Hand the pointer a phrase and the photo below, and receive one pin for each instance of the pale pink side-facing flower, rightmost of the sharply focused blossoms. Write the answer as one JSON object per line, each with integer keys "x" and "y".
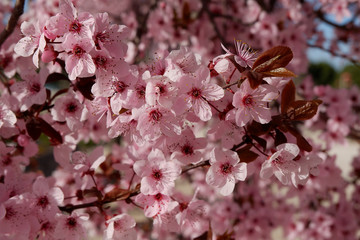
{"x": 282, "y": 165}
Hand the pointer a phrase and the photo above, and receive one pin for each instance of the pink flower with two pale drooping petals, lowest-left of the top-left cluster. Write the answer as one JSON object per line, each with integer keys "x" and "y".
{"x": 78, "y": 61}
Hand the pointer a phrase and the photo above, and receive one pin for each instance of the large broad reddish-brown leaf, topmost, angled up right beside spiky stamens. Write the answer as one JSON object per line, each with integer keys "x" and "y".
{"x": 276, "y": 57}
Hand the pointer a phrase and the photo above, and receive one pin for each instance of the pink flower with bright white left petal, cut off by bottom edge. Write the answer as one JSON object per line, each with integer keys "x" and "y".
{"x": 120, "y": 227}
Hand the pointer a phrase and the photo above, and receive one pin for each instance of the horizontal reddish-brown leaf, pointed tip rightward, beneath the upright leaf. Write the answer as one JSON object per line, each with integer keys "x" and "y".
{"x": 302, "y": 110}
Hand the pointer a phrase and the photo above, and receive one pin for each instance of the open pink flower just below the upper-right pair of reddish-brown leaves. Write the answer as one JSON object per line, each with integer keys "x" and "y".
{"x": 252, "y": 104}
